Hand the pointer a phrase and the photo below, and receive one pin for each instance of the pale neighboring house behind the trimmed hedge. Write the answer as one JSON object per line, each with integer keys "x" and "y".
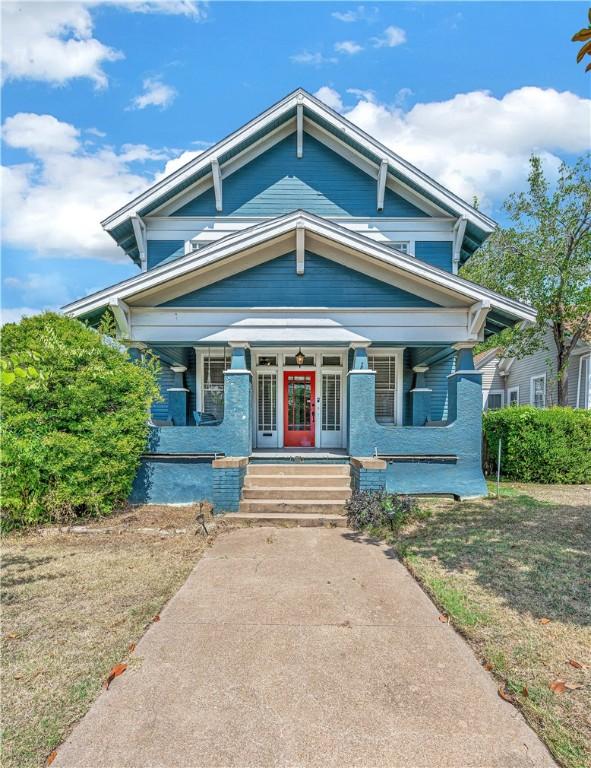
{"x": 532, "y": 380}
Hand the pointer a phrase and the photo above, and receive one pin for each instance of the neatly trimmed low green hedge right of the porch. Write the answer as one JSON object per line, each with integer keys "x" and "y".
{"x": 540, "y": 445}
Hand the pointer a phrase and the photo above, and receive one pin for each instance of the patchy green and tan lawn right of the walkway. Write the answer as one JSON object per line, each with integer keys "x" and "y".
{"x": 496, "y": 568}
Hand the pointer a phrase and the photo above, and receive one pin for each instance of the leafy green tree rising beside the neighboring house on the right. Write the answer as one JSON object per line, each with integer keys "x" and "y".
{"x": 544, "y": 259}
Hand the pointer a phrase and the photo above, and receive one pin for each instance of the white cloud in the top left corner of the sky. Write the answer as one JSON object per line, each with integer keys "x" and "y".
{"x": 52, "y": 42}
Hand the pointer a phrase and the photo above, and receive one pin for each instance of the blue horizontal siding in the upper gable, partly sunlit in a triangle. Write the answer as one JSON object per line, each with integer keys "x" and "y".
{"x": 277, "y": 182}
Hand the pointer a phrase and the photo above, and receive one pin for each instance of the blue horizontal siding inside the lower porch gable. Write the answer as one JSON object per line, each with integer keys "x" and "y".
{"x": 325, "y": 283}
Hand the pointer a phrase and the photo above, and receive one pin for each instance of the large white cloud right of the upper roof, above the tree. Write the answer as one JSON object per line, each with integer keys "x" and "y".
{"x": 476, "y": 143}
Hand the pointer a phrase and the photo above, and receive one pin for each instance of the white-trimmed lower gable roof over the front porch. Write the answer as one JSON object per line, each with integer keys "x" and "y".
{"x": 503, "y": 311}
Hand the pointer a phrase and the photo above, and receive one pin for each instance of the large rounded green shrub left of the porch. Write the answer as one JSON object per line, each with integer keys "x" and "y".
{"x": 73, "y": 432}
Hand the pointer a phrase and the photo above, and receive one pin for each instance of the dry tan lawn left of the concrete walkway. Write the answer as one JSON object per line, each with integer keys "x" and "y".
{"x": 72, "y": 604}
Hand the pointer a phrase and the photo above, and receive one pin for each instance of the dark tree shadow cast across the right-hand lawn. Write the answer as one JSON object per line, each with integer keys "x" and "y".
{"x": 534, "y": 555}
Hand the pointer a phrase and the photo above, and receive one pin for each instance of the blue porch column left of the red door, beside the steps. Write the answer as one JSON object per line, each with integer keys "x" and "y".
{"x": 238, "y": 401}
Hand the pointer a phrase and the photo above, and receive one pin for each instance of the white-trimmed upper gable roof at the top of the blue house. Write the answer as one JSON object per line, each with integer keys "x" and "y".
{"x": 120, "y": 223}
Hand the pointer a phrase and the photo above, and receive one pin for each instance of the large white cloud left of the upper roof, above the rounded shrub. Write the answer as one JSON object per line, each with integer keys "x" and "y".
{"x": 53, "y": 204}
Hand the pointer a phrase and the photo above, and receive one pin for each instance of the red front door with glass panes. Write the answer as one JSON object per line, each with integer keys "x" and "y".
{"x": 298, "y": 408}
